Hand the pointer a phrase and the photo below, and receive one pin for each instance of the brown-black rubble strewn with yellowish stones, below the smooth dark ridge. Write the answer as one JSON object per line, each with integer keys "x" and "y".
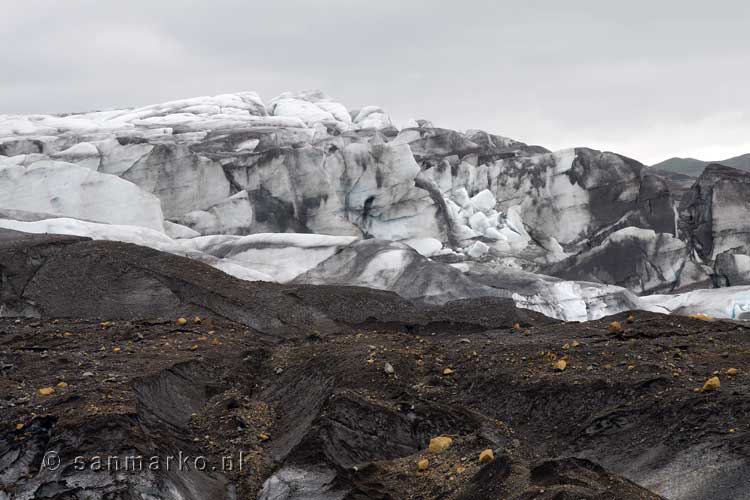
{"x": 318, "y": 417}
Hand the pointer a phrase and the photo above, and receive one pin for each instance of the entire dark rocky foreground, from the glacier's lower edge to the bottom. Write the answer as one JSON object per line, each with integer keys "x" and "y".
{"x": 332, "y": 392}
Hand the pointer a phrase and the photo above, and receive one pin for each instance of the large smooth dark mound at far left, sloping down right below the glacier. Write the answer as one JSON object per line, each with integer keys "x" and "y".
{"x": 57, "y": 276}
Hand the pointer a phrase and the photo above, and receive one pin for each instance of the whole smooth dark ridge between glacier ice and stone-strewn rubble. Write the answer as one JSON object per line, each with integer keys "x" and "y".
{"x": 62, "y": 276}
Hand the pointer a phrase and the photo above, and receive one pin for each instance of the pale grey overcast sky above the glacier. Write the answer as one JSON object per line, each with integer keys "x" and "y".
{"x": 647, "y": 78}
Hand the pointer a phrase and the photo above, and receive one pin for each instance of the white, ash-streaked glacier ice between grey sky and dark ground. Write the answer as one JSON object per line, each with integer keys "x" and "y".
{"x": 301, "y": 189}
